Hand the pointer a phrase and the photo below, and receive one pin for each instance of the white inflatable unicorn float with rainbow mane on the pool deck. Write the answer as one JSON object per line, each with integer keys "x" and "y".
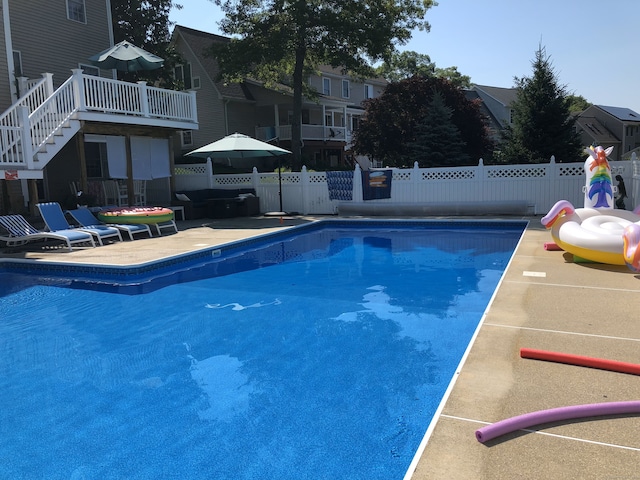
{"x": 597, "y": 232}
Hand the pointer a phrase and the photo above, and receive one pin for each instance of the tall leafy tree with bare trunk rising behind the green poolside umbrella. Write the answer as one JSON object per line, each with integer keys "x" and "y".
{"x": 282, "y": 42}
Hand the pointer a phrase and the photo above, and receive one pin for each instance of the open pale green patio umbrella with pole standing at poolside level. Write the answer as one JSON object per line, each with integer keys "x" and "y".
{"x": 238, "y": 145}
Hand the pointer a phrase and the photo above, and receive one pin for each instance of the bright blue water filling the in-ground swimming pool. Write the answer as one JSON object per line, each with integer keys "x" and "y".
{"x": 320, "y": 355}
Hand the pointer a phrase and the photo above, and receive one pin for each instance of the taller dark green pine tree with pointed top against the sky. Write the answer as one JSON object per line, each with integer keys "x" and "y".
{"x": 542, "y": 122}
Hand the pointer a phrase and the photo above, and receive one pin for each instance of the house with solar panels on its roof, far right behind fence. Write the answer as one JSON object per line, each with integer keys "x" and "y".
{"x": 610, "y": 126}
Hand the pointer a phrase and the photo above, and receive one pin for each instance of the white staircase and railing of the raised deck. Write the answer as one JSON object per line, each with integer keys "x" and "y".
{"x": 44, "y": 120}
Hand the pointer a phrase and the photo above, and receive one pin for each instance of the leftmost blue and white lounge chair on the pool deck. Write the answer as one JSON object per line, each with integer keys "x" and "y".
{"x": 21, "y": 232}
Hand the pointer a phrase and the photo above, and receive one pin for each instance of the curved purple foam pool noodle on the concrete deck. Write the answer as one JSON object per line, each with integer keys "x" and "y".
{"x": 497, "y": 429}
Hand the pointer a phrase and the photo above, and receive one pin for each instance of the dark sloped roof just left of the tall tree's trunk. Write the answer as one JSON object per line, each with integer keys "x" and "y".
{"x": 199, "y": 42}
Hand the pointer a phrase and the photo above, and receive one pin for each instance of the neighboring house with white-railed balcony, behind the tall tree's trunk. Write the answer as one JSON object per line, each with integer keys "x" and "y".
{"x": 328, "y": 121}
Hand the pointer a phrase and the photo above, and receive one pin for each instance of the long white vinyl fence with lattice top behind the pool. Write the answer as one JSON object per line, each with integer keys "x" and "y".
{"x": 496, "y": 189}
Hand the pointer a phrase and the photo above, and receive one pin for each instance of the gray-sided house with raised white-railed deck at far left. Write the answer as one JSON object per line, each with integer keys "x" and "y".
{"x": 66, "y": 121}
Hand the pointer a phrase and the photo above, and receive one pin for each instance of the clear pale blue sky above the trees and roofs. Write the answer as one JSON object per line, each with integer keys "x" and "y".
{"x": 593, "y": 45}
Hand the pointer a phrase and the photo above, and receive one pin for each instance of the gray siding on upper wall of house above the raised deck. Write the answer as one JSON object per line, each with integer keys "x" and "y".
{"x": 49, "y": 42}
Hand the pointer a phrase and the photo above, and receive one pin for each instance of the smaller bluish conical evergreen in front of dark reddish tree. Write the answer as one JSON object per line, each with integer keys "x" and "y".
{"x": 437, "y": 141}
